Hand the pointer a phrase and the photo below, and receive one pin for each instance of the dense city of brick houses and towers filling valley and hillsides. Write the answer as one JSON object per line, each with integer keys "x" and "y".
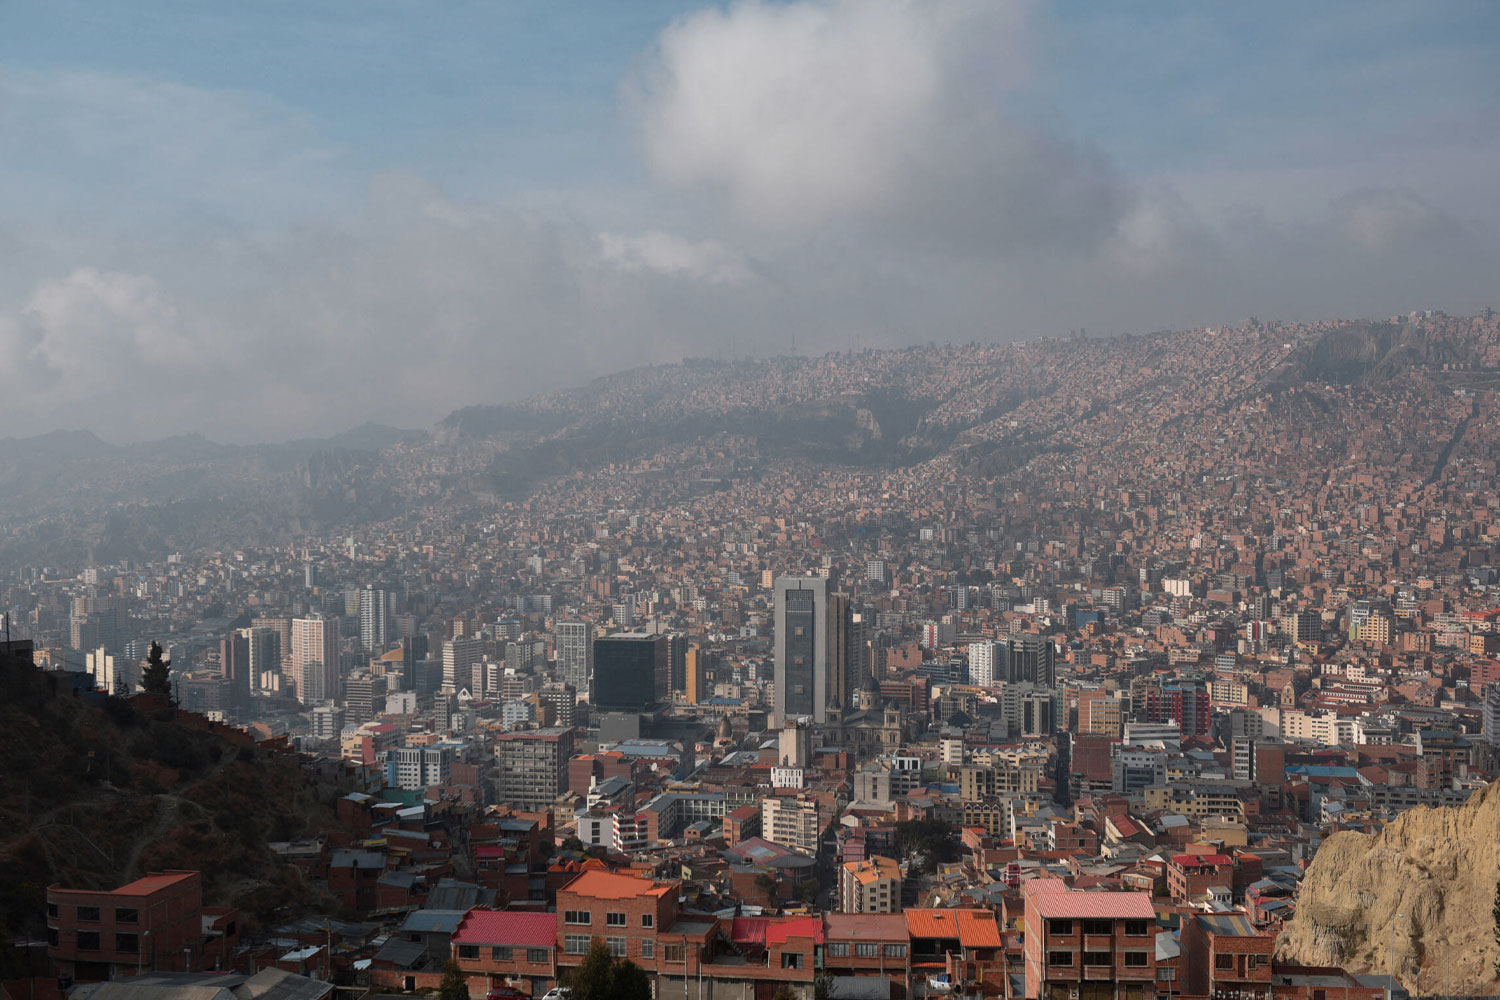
{"x": 1028, "y": 671}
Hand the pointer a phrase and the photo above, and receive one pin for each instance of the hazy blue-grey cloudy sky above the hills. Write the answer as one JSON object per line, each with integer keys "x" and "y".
{"x": 269, "y": 220}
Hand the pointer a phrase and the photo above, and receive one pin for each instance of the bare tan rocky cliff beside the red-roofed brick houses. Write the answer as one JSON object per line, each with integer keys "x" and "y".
{"x": 1426, "y": 888}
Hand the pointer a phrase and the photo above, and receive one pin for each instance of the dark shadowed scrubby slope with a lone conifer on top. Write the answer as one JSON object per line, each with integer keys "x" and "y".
{"x": 95, "y": 797}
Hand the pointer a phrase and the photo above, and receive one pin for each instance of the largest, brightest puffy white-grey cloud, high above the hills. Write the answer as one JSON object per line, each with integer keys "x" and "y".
{"x": 890, "y": 113}
